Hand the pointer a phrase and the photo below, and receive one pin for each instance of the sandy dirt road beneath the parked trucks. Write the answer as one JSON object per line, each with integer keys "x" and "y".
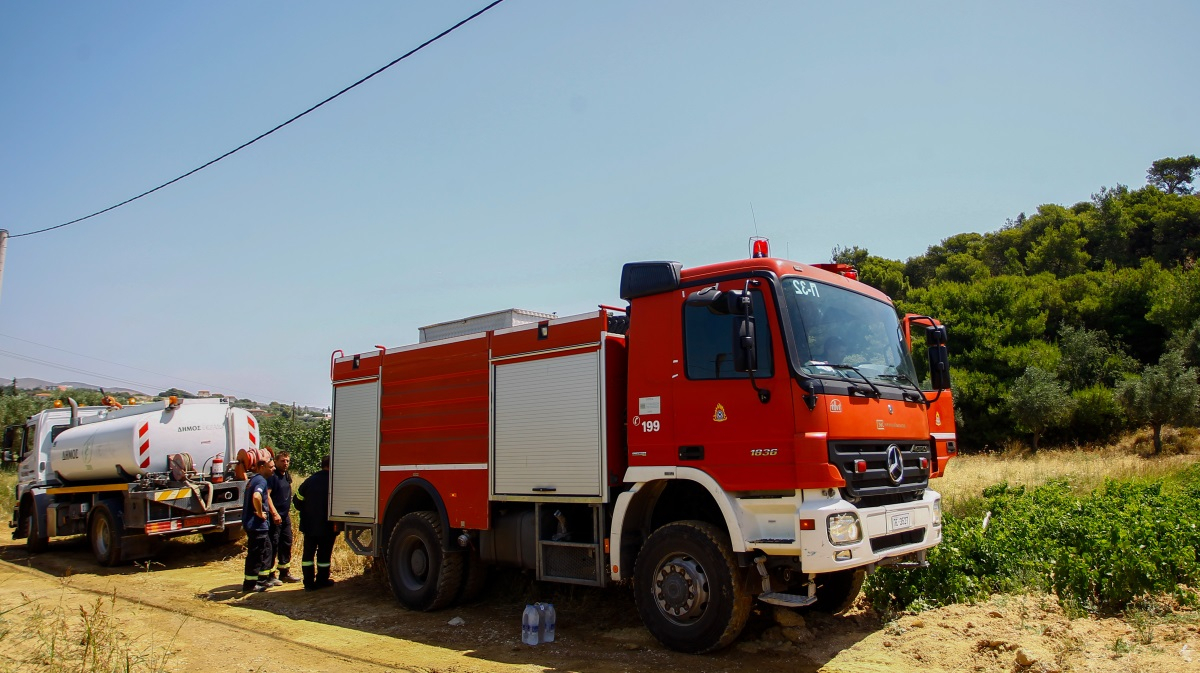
{"x": 188, "y": 615}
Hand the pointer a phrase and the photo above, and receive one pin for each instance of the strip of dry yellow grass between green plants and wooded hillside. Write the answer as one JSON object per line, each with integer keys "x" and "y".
{"x": 1085, "y": 467}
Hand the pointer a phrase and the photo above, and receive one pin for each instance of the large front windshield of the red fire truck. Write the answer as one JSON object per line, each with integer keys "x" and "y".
{"x": 838, "y": 327}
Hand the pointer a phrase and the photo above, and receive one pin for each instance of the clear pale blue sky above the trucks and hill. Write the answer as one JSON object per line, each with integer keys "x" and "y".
{"x": 520, "y": 161}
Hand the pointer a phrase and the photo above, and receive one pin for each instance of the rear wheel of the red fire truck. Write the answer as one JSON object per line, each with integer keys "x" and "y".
{"x": 423, "y": 576}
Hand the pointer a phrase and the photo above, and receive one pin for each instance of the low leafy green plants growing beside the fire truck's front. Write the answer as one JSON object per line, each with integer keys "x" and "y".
{"x": 1097, "y": 551}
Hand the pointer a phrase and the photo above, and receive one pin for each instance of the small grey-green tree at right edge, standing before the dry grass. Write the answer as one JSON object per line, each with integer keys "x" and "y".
{"x": 1165, "y": 394}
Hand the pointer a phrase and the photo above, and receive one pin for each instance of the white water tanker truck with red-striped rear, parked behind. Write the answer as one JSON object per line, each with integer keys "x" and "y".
{"x": 130, "y": 478}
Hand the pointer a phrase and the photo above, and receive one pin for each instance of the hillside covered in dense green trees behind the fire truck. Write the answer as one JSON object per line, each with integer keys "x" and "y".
{"x": 1071, "y": 325}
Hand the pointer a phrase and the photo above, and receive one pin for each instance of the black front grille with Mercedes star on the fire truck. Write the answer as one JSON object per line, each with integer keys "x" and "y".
{"x": 875, "y": 488}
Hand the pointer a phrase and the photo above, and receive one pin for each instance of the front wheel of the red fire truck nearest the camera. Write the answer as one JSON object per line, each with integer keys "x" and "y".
{"x": 689, "y": 591}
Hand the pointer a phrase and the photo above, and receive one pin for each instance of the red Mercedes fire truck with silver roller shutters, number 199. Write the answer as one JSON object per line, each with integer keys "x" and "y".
{"x": 743, "y": 431}
